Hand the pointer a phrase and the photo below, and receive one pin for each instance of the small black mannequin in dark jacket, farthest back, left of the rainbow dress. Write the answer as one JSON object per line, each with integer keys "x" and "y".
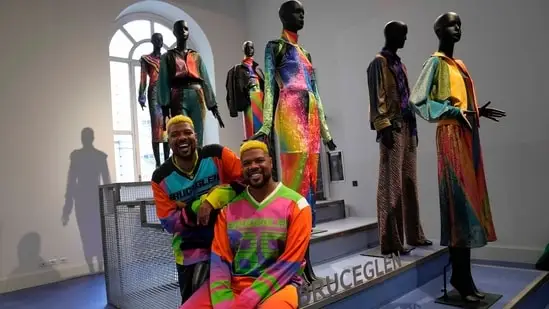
{"x": 245, "y": 86}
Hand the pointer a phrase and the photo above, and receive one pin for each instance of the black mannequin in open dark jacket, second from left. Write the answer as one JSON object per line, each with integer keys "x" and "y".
{"x": 184, "y": 85}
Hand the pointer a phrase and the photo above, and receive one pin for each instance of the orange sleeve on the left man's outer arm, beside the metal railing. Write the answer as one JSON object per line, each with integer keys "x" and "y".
{"x": 169, "y": 215}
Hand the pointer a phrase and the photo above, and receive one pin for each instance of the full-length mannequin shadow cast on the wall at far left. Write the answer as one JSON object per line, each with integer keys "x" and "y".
{"x": 87, "y": 168}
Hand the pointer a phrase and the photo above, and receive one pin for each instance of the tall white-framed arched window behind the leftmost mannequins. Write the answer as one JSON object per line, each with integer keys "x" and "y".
{"x": 134, "y": 157}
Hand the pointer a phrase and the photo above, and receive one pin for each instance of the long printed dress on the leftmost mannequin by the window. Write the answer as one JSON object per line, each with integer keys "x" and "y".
{"x": 150, "y": 66}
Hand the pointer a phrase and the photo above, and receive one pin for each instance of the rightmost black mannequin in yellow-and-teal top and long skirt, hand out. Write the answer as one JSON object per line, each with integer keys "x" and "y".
{"x": 445, "y": 94}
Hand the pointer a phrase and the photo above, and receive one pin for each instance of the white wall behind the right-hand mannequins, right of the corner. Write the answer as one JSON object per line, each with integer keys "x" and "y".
{"x": 503, "y": 45}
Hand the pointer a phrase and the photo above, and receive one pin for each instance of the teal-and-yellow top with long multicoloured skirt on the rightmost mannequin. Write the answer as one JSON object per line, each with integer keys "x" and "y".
{"x": 443, "y": 89}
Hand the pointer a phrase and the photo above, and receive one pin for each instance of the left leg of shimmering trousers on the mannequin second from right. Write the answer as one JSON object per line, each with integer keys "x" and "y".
{"x": 389, "y": 197}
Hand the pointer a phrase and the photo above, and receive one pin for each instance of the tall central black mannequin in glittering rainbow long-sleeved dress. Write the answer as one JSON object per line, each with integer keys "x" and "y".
{"x": 291, "y": 93}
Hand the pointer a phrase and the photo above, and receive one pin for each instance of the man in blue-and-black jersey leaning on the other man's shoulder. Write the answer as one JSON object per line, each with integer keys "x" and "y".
{"x": 190, "y": 173}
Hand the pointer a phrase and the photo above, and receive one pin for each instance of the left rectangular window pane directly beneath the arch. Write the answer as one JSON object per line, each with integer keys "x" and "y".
{"x": 120, "y": 96}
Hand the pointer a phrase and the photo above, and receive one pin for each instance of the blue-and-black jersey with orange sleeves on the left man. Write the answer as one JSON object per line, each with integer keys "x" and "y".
{"x": 215, "y": 165}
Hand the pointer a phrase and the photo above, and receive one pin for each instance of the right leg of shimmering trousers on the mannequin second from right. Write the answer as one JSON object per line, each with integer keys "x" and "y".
{"x": 410, "y": 200}
